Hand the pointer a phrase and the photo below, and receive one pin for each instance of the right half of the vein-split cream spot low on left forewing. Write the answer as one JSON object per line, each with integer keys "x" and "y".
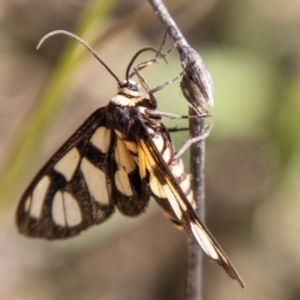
{"x": 72, "y": 210}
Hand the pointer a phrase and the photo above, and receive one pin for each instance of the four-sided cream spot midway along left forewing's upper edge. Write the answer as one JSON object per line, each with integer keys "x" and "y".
{"x": 67, "y": 165}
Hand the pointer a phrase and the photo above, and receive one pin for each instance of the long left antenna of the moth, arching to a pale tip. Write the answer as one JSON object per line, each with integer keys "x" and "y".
{"x": 82, "y": 42}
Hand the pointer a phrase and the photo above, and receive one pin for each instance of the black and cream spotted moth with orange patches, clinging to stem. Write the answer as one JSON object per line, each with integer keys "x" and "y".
{"x": 119, "y": 157}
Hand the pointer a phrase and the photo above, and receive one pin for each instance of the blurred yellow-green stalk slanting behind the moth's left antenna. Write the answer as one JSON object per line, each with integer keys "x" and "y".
{"x": 50, "y": 101}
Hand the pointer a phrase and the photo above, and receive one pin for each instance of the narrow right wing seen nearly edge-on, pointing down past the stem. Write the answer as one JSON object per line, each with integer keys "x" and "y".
{"x": 171, "y": 198}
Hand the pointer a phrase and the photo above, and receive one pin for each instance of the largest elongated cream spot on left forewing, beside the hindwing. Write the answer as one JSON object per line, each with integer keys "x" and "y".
{"x": 96, "y": 182}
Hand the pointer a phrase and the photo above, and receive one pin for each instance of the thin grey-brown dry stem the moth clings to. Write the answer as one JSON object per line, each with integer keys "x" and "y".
{"x": 187, "y": 54}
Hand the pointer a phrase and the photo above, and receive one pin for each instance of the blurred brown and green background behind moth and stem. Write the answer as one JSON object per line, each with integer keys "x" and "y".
{"x": 252, "y": 49}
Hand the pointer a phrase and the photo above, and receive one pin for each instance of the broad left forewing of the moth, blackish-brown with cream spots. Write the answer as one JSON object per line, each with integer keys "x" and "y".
{"x": 73, "y": 190}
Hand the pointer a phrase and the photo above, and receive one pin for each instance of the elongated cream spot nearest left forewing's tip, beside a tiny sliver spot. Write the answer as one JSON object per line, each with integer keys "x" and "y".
{"x": 38, "y": 197}
